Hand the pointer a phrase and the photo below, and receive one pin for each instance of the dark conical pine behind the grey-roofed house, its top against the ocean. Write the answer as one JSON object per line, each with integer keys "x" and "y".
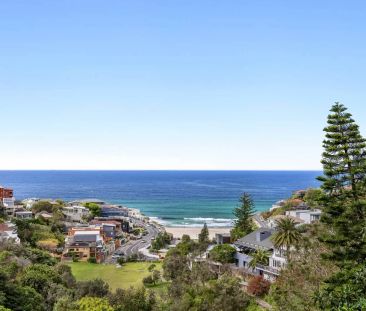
{"x": 243, "y": 213}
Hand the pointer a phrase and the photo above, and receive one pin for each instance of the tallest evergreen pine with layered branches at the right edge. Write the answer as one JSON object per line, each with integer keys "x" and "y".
{"x": 344, "y": 212}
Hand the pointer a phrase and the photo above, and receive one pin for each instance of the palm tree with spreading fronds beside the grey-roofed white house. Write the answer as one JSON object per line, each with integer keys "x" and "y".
{"x": 286, "y": 234}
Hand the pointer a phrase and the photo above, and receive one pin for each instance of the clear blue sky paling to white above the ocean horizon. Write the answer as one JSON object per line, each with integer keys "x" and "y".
{"x": 90, "y": 84}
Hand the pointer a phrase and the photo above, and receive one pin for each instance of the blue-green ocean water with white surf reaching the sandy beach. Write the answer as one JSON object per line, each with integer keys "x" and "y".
{"x": 187, "y": 198}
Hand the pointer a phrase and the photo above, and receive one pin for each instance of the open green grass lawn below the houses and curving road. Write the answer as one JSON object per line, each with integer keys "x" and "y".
{"x": 130, "y": 274}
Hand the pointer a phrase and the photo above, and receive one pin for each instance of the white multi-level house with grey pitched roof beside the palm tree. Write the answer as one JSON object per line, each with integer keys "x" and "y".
{"x": 259, "y": 239}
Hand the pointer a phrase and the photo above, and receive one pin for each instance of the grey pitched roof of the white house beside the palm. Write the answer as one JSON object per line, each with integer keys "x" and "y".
{"x": 252, "y": 241}
